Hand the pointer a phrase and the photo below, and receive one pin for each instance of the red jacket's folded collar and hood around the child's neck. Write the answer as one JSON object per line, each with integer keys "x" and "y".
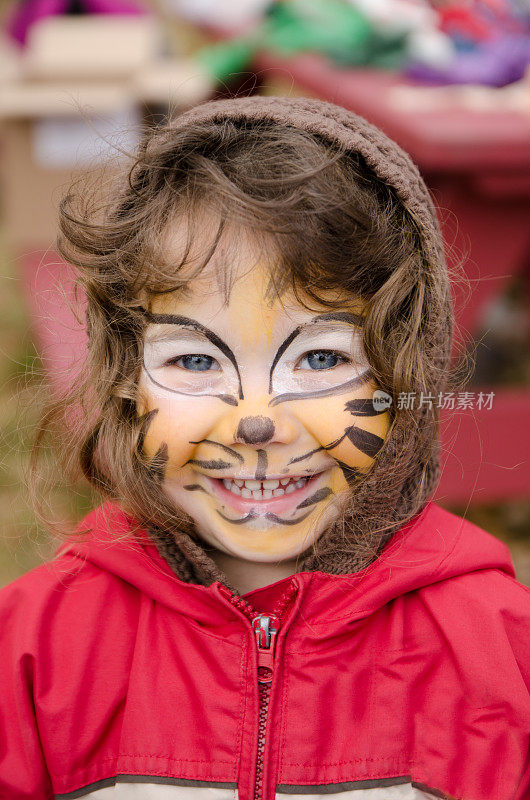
{"x": 433, "y": 546}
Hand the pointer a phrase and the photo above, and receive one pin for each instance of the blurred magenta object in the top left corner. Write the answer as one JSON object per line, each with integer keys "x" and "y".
{"x": 28, "y": 12}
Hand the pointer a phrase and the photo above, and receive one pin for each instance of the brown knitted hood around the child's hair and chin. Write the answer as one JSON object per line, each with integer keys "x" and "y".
{"x": 406, "y": 470}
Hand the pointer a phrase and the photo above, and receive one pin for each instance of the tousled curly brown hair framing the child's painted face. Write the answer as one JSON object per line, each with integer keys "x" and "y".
{"x": 333, "y": 224}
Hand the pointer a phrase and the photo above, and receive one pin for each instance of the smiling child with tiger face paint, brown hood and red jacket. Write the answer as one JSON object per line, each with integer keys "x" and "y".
{"x": 268, "y": 603}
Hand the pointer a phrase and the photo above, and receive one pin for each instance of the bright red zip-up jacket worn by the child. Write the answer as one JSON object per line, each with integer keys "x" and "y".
{"x": 407, "y": 680}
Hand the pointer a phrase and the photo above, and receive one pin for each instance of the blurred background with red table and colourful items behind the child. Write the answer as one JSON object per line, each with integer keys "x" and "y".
{"x": 449, "y": 81}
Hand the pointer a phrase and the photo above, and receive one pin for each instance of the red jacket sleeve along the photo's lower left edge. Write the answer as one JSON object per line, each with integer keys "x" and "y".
{"x": 23, "y": 773}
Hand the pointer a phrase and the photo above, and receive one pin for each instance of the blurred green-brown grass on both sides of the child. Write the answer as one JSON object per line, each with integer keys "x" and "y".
{"x": 24, "y": 541}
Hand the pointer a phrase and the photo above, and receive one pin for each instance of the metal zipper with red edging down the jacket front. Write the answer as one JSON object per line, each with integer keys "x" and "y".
{"x": 266, "y": 627}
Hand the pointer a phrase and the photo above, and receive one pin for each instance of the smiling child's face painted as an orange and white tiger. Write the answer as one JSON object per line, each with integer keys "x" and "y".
{"x": 259, "y": 410}
